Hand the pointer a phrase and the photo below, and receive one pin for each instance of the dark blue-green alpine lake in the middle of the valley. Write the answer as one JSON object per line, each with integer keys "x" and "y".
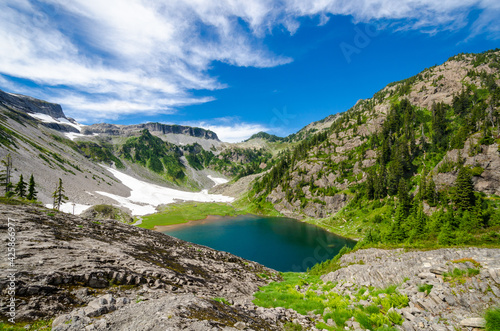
{"x": 280, "y": 243}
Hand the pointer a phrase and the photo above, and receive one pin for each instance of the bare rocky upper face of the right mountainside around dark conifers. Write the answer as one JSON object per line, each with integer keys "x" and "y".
{"x": 322, "y": 180}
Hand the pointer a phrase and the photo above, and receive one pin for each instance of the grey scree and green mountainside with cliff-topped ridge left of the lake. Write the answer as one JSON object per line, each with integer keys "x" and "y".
{"x": 42, "y": 141}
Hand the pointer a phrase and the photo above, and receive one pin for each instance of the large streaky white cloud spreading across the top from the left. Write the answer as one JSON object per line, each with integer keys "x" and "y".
{"x": 103, "y": 59}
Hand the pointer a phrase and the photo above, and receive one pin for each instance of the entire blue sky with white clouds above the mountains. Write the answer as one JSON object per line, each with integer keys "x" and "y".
{"x": 236, "y": 67}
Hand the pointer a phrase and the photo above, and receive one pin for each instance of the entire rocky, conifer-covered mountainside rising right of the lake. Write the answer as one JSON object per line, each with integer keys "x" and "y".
{"x": 418, "y": 162}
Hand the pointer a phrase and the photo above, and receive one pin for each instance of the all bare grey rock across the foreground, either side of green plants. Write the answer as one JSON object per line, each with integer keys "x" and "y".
{"x": 106, "y": 275}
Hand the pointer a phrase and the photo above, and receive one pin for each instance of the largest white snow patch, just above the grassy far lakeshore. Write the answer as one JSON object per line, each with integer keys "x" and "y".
{"x": 145, "y": 197}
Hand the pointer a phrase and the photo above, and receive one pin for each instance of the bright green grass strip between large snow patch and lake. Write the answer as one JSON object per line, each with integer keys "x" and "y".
{"x": 189, "y": 211}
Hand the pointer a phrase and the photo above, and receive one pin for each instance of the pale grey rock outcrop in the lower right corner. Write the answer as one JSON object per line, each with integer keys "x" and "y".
{"x": 450, "y": 302}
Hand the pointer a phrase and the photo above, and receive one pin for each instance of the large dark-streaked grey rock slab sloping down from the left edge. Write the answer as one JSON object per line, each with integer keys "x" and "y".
{"x": 77, "y": 269}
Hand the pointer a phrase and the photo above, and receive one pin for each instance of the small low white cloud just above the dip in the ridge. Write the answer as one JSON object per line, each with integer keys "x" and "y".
{"x": 230, "y": 129}
